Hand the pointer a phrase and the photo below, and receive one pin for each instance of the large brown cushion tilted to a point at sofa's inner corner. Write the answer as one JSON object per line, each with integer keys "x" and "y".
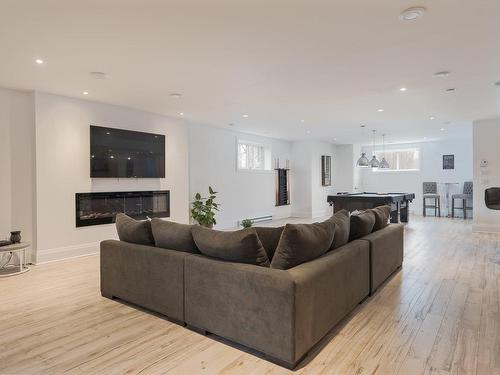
{"x": 300, "y": 243}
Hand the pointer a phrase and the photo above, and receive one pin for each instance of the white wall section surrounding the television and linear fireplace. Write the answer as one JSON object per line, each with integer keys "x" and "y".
{"x": 62, "y": 159}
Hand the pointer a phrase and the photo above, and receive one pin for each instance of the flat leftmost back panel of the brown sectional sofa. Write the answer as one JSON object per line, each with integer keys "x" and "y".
{"x": 144, "y": 275}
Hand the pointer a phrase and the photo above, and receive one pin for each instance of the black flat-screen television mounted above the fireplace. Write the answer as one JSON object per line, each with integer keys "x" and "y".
{"x": 125, "y": 153}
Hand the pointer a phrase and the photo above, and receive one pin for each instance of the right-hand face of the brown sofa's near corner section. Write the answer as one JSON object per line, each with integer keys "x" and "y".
{"x": 327, "y": 289}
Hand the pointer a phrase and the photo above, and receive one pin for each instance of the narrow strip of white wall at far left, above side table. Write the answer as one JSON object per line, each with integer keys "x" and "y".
{"x": 17, "y": 164}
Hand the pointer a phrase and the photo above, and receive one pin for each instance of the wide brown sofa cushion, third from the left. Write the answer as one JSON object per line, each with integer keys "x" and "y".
{"x": 242, "y": 246}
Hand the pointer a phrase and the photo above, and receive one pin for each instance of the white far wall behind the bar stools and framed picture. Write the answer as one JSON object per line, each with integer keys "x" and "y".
{"x": 431, "y": 169}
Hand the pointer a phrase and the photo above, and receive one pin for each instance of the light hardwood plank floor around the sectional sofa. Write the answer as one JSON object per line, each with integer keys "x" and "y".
{"x": 440, "y": 315}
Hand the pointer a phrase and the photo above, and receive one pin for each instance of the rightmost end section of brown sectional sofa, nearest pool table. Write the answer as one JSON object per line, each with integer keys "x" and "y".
{"x": 386, "y": 253}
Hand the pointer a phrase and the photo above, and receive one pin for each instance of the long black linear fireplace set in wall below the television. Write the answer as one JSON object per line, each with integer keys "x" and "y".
{"x": 101, "y": 208}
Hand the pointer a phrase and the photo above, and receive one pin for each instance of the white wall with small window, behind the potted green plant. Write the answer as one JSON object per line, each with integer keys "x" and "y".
{"x": 242, "y": 194}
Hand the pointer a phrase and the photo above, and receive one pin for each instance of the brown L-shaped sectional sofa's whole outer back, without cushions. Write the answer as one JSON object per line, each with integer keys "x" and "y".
{"x": 281, "y": 313}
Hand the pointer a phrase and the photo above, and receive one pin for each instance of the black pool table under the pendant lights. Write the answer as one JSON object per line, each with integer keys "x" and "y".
{"x": 399, "y": 203}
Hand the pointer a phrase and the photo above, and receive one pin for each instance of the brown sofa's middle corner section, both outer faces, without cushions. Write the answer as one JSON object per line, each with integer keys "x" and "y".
{"x": 281, "y": 313}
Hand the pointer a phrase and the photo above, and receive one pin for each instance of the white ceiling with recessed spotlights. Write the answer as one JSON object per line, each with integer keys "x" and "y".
{"x": 332, "y": 63}
